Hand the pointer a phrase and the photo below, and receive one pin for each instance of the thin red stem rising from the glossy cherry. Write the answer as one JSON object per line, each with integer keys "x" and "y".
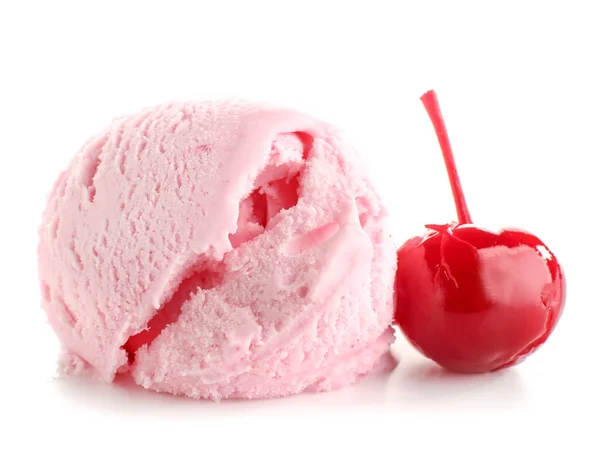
{"x": 432, "y": 106}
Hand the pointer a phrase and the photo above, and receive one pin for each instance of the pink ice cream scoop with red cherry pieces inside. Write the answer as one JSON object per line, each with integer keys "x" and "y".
{"x": 219, "y": 250}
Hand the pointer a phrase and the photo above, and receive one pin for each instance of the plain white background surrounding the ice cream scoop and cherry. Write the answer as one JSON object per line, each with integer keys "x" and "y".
{"x": 519, "y": 88}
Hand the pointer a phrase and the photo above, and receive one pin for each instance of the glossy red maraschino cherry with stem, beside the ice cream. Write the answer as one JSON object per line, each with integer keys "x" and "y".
{"x": 470, "y": 299}
